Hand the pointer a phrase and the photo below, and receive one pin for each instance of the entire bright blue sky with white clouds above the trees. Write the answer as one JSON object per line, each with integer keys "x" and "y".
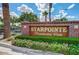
{"x": 68, "y": 10}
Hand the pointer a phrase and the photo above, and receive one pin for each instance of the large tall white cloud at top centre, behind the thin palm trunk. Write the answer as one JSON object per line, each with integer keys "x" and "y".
{"x": 43, "y": 7}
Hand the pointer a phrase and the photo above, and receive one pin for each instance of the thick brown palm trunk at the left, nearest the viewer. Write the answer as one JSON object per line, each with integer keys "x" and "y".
{"x": 6, "y": 20}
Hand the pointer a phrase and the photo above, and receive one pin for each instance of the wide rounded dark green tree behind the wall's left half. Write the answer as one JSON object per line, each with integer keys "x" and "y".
{"x": 31, "y": 17}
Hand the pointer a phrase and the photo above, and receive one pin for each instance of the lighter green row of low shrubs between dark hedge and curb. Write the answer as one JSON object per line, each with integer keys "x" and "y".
{"x": 55, "y": 47}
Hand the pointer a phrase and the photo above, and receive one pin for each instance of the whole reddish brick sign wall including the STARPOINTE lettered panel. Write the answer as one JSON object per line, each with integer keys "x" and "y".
{"x": 56, "y": 28}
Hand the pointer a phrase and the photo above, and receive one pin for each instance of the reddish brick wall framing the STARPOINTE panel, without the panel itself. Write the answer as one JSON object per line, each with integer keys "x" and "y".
{"x": 73, "y": 27}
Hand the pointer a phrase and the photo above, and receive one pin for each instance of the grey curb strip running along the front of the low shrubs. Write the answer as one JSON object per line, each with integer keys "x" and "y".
{"x": 26, "y": 51}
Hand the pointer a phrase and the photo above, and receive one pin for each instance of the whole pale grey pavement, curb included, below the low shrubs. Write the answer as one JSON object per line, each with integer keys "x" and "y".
{"x": 14, "y": 50}
